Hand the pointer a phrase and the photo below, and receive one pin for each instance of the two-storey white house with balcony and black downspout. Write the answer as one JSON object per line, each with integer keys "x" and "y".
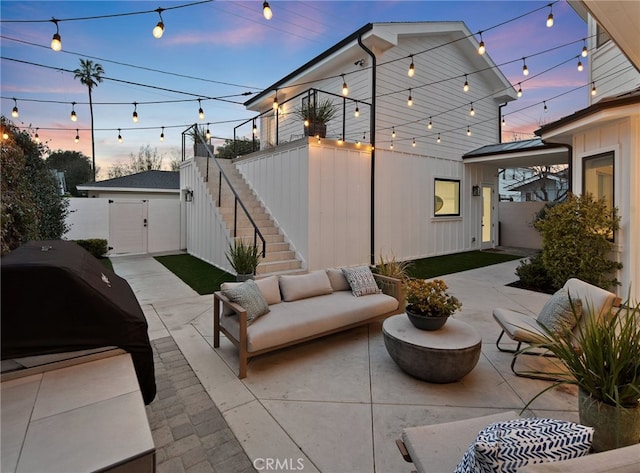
{"x": 341, "y": 201}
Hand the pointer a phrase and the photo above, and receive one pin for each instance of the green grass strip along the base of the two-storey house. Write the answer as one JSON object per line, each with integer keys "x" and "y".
{"x": 427, "y": 268}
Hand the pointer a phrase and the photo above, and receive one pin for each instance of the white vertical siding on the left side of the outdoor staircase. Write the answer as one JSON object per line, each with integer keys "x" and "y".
{"x": 206, "y": 235}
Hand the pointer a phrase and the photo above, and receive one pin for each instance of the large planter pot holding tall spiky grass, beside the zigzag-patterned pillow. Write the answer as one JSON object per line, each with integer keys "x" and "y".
{"x": 614, "y": 427}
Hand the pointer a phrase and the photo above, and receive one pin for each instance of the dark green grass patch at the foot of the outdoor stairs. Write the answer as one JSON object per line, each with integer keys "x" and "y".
{"x": 201, "y": 276}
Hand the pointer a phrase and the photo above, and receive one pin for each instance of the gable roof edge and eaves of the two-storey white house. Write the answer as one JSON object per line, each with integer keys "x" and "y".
{"x": 382, "y": 36}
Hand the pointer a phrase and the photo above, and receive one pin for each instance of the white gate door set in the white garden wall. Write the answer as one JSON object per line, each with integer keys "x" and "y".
{"x": 128, "y": 226}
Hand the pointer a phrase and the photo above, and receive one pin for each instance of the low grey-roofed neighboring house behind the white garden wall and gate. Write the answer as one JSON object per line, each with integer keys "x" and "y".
{"x": 142, "y": 185}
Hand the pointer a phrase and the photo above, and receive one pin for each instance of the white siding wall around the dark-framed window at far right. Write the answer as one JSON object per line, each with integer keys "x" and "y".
{"x": 623, "y": 138}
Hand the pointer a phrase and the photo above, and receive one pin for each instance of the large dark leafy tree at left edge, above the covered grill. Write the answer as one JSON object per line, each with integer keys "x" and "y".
{"x": 32, "y": 207}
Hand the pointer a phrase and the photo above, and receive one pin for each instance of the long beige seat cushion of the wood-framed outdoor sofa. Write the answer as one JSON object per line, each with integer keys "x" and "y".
{"x": 292, "y": 321}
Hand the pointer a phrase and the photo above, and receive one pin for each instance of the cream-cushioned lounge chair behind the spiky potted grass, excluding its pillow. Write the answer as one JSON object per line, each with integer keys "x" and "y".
{"x": 523, "y": 328}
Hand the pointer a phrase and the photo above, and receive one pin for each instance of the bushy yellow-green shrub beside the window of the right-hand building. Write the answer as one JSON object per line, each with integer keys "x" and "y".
{"x": 577, "y": 241}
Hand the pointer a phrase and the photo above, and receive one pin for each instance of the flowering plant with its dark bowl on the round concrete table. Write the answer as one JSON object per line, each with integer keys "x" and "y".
{"x": 428, "y": 303}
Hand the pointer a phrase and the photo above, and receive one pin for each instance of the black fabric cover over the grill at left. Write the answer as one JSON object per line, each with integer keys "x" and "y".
{"x": 56, "y": 297}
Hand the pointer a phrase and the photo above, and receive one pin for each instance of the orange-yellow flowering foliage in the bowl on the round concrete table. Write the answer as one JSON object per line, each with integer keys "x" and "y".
{"x": 430, "y": 298}
